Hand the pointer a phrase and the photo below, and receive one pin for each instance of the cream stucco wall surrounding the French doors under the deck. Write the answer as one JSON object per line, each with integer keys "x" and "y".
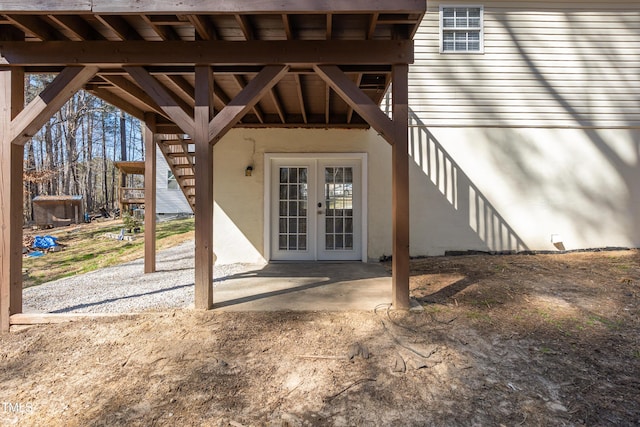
{"x": 239, "y": 209}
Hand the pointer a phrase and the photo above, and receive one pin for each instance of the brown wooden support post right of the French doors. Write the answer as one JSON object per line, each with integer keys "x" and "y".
{"x": 400, "y": 182}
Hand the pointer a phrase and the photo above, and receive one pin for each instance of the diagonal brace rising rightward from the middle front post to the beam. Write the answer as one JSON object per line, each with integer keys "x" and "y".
{"x": 244, "y": 101}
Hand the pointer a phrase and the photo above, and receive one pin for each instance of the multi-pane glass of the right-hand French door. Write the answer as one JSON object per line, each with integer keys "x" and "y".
{"x": 338, "y": 195}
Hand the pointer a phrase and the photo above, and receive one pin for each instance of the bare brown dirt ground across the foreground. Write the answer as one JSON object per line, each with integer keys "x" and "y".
{"x": 503, "y": 340}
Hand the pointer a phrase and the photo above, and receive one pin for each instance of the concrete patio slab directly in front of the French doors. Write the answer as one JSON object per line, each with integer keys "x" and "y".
{"x": 305, "y": 286}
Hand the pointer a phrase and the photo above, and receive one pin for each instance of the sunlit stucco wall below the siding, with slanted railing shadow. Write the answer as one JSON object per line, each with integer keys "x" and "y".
{"x": 503, "y": 189}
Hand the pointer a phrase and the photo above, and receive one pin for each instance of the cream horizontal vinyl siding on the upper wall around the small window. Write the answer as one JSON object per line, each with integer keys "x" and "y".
{"x": 545, "y": 64}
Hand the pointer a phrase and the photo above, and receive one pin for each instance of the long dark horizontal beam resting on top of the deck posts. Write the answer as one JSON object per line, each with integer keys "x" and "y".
{"x": 215, "y": 52}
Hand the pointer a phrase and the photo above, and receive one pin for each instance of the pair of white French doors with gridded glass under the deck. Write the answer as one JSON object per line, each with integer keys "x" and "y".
{"x": 316, "y": 208}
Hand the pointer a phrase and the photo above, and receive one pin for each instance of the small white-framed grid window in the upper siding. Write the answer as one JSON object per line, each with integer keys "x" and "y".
{"x": 461, "y": 29}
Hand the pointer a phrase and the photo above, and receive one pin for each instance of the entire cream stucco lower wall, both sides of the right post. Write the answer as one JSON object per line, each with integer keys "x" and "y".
{"x": 485, "y": 189}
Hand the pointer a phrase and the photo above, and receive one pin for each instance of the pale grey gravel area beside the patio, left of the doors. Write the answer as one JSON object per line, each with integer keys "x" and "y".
{"x": 125, "y": 288}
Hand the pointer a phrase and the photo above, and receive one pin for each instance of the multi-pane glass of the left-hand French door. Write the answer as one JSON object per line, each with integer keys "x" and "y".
{"x": 292, "y": 232}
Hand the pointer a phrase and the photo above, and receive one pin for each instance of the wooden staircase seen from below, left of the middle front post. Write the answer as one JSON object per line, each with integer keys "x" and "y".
{"x": 180, "y": 155}
